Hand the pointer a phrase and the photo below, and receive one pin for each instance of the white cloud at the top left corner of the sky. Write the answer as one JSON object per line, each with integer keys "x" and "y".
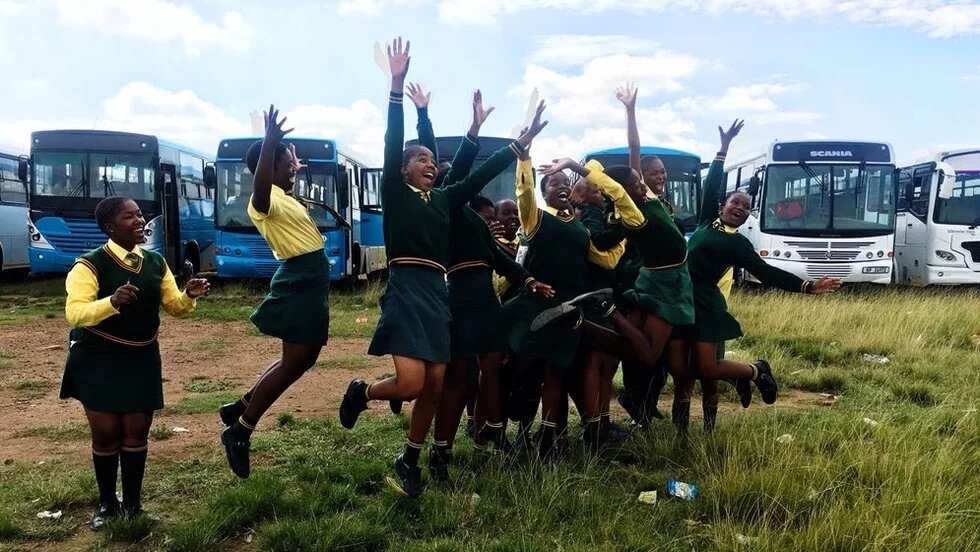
{"x": 157, "y": 21}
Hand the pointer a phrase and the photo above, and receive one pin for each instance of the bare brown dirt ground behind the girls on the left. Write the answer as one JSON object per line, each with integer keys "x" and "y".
{"x": 218, "y": 351}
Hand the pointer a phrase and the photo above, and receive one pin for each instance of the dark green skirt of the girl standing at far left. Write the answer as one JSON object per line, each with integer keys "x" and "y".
{"x": 111, "y": 377}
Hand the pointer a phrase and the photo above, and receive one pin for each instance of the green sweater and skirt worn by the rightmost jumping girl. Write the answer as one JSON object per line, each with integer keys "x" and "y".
{"x": 716, "y": 249}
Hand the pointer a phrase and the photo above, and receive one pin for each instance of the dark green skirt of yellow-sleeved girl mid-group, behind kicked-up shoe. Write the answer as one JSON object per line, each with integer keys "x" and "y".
{"x": 555, "y": 344}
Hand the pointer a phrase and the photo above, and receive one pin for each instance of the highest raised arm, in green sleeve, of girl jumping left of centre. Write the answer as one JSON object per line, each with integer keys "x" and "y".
{"x": 392, "y": 181}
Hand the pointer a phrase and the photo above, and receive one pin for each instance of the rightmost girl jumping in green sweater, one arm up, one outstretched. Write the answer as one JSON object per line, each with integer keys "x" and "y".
{"x": 716, "y": 248}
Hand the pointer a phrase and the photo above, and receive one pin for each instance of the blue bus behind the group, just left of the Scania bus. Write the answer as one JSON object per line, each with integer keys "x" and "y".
{"x": 683, "y": 186}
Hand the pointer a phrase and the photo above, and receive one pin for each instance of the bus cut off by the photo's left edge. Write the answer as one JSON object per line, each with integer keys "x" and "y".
{"x": 13, "y": 214}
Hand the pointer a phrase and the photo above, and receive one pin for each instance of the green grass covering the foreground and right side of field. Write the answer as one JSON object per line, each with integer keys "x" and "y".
{"x": 907, "y": 483}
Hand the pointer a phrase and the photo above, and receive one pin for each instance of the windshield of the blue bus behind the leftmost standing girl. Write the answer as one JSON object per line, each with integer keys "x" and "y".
{"x": 94, "y": 175}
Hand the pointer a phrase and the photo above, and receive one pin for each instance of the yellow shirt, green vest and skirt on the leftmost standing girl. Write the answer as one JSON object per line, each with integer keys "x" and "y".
{"x": 113, "y": 360}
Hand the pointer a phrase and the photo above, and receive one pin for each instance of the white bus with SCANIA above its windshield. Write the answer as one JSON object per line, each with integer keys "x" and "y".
{"x": 821, "y": 208}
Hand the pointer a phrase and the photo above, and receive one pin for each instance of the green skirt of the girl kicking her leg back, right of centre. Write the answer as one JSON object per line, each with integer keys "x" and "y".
{"x": 665, "y": 293}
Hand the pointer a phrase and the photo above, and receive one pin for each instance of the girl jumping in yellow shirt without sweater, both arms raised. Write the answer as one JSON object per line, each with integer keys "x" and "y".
{"x": 296, "y": 310}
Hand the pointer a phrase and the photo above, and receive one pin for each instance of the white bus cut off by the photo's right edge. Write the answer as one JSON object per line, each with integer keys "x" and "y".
{"x": 937, "y": 240}
